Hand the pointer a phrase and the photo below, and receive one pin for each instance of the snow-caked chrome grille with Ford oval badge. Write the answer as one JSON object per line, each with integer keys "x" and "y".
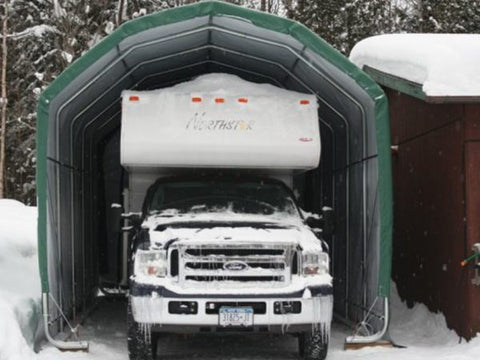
{"x": 240, "y": 263}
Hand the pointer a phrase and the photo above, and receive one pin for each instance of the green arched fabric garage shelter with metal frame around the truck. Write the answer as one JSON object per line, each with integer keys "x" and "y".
{"x": 79, "y": 174}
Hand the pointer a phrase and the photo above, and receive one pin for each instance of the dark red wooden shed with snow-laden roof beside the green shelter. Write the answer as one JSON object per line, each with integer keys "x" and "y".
{"x": 435, "y": 133}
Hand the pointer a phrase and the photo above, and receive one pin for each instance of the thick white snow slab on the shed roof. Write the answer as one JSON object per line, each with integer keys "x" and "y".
{"x": 443, "y": 64}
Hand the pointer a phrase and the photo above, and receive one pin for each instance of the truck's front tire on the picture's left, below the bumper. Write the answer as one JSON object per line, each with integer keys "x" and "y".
{"x": 140, "y": 346}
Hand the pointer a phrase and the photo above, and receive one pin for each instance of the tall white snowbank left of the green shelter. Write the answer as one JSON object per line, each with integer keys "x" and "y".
{"x": 20, "y": 310}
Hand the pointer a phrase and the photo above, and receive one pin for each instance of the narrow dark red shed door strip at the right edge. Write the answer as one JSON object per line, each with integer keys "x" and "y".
{"x": 472, "y": 176}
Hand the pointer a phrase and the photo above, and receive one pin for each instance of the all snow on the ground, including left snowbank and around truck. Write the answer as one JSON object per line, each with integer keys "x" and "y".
{"x": 425, "y": 334}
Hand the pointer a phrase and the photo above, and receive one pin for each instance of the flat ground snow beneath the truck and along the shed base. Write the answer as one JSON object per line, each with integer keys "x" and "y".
{"x": 425, "y": 334}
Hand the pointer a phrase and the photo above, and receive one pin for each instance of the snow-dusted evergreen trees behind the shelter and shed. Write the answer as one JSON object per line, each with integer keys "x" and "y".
{"x": 45, "y": 36}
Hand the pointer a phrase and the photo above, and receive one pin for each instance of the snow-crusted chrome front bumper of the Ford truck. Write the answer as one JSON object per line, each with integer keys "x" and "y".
{"x": 150, "y": 305}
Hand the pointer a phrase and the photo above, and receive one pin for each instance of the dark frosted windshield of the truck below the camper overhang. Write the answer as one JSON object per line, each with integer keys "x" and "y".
{"x": 242, "y": 197}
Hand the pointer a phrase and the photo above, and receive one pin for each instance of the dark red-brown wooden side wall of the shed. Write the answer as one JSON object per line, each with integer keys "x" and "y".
{"x": 429, "y": 206}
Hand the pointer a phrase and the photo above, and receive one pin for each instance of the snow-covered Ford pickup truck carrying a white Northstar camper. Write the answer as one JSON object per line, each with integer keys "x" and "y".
{"x": 219, "y": 243}
